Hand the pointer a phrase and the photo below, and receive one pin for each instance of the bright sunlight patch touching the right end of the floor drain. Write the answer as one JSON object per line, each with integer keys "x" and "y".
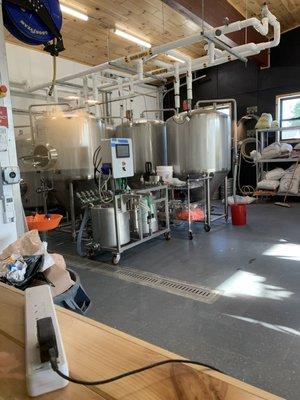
{"x": 244, "y": 283}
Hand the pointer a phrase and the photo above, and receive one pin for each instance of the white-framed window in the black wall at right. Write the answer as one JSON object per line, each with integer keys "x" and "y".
{"x": 288, "y": 115}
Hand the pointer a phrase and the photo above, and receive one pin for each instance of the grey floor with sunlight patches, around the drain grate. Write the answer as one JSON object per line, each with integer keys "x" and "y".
{"x": 251, "y": 332}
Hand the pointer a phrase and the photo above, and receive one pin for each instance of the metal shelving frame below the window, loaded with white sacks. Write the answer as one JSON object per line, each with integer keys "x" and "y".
{"x": 260, "y": 145}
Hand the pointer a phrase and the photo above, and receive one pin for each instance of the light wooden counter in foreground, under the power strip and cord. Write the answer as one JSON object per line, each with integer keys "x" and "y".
{"x": 95, "y": 351}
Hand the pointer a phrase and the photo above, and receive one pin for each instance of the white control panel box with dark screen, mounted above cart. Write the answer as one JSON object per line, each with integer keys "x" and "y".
{"x": 117, "y": 152}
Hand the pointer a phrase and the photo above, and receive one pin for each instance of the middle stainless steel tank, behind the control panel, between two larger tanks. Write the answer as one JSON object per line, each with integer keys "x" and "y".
{"x": 148, "y": 141}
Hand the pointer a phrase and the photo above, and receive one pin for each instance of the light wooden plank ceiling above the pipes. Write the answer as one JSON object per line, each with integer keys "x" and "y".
{"x": 94, "y": 42}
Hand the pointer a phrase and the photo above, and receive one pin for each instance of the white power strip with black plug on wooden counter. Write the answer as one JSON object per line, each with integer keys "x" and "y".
{"x": 40, "y": 377}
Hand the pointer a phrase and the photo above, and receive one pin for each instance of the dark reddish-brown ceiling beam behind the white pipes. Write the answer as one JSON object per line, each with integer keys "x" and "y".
{"x": 214, "y": 15}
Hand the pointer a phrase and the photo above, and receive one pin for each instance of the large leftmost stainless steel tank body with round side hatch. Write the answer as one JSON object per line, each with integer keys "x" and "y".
{"x": 65, "y": 143}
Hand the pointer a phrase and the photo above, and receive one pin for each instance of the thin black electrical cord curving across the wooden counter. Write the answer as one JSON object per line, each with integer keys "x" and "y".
{"x": 55, "y": 368}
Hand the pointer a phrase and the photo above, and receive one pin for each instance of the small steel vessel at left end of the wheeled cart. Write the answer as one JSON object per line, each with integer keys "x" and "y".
{"x": 103, "y": 225}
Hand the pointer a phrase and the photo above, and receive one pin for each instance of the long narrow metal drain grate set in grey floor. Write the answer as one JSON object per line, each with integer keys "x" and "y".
{"x": 179, "y": 288}
